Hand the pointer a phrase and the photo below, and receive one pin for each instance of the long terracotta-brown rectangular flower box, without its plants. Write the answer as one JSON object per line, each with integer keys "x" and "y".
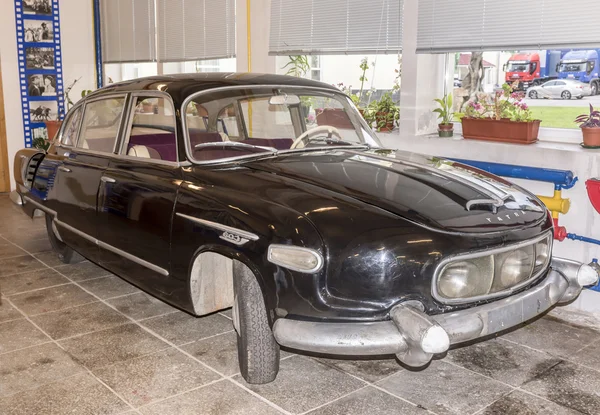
{"x": 505, "y": 131}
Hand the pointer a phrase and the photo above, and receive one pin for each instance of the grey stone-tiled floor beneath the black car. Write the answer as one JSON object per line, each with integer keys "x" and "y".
{"x": 76, "y": 340}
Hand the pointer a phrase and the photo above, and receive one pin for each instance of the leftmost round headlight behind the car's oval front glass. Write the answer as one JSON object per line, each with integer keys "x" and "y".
{"x": 465, "y": 279}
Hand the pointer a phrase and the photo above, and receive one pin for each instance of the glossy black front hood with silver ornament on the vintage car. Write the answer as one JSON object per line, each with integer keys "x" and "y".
{"x": 430, "y": 191}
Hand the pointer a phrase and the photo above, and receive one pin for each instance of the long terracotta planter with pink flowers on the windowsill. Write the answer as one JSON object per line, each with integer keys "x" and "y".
{"x": 503, "y": 117}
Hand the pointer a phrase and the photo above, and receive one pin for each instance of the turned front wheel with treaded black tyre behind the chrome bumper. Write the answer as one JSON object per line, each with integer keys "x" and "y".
{"x": 258, "y": 352}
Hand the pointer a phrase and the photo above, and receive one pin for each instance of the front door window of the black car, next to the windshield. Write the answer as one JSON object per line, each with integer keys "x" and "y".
{"x": 152, "y": 131}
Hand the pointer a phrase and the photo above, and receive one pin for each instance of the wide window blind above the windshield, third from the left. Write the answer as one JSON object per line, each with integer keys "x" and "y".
{"x": 304, "y": 27}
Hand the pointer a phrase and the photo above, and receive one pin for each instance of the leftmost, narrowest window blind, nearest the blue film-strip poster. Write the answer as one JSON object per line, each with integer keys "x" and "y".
{"x": 127, "y": 30}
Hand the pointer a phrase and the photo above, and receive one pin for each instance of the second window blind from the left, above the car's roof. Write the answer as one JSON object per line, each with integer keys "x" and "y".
{"x": 195, "y": 29}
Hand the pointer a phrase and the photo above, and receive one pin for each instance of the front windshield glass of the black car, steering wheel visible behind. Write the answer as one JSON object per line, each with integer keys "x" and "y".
{"x": 249, "y": 121}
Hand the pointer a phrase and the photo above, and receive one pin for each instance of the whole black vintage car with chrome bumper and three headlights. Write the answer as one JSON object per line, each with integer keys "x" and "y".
{"x": 272, "y": 195}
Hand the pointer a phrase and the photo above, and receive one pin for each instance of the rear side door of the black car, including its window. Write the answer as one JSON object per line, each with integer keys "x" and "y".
{"x": 79, "y": 176}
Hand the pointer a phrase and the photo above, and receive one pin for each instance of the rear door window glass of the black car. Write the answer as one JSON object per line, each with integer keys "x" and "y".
{"x": 101, "y": 122}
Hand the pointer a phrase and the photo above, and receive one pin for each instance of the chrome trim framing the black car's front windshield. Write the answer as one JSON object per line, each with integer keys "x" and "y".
{"x": 186, "y": 136}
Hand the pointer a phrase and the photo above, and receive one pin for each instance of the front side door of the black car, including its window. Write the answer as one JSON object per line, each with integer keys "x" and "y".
{"x": 137, "y": 195}
